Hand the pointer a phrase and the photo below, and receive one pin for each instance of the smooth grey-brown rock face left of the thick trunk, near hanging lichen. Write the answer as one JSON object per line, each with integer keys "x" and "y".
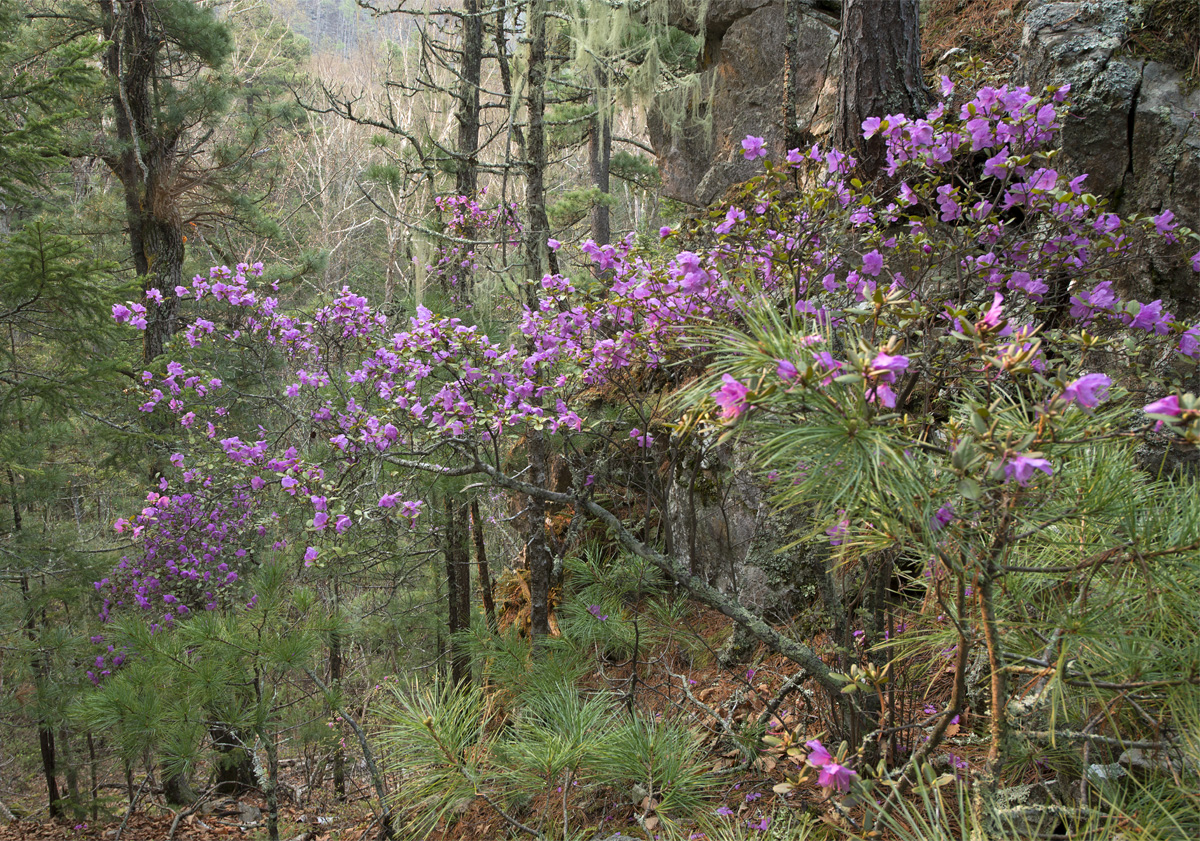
{"x": 746, "y": 88}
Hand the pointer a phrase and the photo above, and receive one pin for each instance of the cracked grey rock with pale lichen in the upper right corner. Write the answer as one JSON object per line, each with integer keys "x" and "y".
{"x": 1132, "y": 128}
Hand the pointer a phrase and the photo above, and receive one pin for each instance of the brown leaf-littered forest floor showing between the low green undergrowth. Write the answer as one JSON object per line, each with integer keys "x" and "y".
{"x": 669, "y": 681}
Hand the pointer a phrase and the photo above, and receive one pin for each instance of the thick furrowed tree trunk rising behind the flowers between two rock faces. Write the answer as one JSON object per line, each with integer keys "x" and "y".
{"x": 880, "y": 74}
